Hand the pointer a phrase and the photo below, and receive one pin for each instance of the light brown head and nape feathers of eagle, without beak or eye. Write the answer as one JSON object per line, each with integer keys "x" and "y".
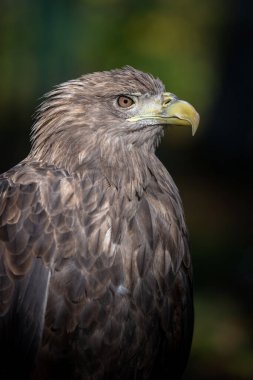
{"x": 77, "y": 125}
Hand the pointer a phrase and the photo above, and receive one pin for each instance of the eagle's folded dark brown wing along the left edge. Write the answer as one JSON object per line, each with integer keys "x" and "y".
{"x": 27, "y": 250}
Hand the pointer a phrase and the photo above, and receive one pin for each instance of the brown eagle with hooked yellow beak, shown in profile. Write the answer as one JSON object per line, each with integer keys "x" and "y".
{"x": 95, "y": 266}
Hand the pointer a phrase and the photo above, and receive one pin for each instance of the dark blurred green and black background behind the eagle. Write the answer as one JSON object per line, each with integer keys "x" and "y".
{"x": 202, "y": 50}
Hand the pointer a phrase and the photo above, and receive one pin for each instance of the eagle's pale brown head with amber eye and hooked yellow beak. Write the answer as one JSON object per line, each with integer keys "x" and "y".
{"x": 108, "y": 116}
